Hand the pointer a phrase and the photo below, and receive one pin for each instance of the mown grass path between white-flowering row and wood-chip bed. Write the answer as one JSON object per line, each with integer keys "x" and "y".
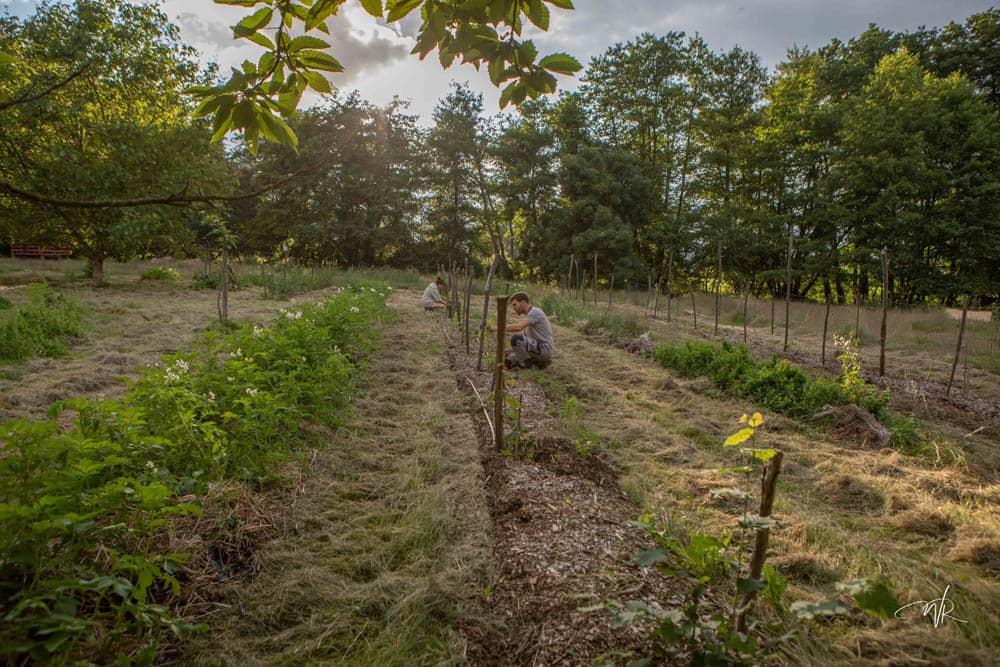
{"x": 388, "y": 538}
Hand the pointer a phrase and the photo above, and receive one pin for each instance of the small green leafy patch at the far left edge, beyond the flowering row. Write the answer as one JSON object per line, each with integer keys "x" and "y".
{"x": 40, "y": 327}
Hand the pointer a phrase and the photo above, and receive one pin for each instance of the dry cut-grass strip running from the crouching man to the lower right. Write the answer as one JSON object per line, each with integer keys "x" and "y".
{"x": 845, "y": 513}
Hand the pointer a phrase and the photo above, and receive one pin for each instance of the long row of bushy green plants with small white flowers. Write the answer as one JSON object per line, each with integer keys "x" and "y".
{"x": 81, "y": 568}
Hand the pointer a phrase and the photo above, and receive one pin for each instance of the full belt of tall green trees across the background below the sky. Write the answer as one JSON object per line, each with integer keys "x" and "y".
{"x": 671, "y": 160}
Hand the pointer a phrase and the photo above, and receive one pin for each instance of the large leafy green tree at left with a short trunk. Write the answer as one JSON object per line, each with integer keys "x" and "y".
{"x": 115, "y": 127}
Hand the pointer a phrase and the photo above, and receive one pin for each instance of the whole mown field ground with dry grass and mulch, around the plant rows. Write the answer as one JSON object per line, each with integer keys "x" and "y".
{"x": 407, "y": 538}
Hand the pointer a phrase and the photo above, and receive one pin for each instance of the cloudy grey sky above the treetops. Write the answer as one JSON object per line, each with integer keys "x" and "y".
{"x": 378, "y": 64}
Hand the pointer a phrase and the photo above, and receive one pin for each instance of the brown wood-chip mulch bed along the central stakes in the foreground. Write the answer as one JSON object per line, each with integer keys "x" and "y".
{"x": 560, "y": 542}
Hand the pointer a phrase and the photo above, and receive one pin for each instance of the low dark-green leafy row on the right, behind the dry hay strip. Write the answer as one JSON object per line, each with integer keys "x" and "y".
{"x": 777, "y": 385}
